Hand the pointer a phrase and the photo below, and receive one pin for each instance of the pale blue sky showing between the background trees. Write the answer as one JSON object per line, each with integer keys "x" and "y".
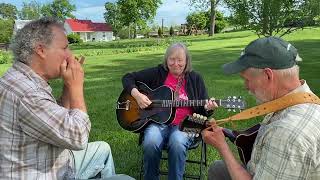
{"x": 173, "y": 12}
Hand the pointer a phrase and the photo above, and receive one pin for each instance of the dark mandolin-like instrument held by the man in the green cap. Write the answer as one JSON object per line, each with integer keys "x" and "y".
{"x": 243, "y": 140}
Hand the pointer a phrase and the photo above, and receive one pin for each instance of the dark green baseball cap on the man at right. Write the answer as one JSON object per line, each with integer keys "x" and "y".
{"x": 268, "y": 52}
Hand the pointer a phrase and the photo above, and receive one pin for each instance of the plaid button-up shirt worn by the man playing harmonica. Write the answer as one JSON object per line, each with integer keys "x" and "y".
{"x": 35, "y": 132}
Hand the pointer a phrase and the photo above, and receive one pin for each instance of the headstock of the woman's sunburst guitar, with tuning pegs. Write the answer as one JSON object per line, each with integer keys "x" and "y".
{"x": 233, "y": 103}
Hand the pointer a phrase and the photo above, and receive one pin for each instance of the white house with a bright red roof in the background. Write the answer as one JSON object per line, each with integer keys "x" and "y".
{"x": 88, "y": 30}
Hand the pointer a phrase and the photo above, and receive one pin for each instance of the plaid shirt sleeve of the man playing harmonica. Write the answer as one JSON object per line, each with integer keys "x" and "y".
{"x": 42, "y": 118}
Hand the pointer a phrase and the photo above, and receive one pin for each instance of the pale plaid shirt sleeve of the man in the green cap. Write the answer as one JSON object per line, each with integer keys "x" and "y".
{"x": 285, "y": 155}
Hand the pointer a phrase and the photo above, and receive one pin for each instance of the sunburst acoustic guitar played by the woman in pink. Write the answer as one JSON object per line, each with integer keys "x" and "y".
{"x": 162, "y": 109}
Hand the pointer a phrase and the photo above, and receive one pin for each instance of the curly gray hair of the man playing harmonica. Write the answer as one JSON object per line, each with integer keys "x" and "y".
{"x": 27, "y": 38}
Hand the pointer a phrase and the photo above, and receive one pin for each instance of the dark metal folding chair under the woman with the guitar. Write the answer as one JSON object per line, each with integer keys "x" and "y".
{"x": 201, "y": 162}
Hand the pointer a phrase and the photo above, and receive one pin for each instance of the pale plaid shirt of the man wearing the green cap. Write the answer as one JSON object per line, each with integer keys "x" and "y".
{"x": 288, "y": 143}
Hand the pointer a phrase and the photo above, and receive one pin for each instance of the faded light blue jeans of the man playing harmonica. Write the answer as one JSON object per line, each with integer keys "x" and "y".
{"x": 95, "y": 160}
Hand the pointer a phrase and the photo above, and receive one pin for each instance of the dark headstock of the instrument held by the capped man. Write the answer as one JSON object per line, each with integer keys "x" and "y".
{"x": 193, "y": 124}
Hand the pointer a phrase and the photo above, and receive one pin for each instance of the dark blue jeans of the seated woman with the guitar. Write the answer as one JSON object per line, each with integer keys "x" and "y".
{"x": 160, "y": 136}
